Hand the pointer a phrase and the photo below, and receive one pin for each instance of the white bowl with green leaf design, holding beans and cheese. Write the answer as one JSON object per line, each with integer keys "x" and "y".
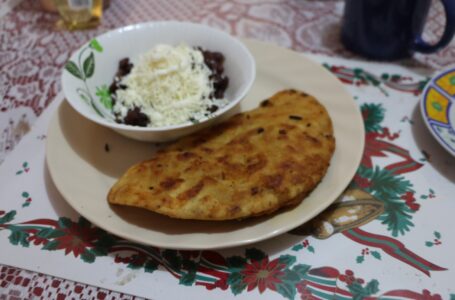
{"x": 91, "y": 69}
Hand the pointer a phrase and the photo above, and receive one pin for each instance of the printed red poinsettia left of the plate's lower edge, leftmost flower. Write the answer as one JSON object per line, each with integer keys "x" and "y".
{"x": 77, "y": 239}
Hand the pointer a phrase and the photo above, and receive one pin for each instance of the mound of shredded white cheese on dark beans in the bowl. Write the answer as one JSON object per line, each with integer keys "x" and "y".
{"x": 169, "y": 84}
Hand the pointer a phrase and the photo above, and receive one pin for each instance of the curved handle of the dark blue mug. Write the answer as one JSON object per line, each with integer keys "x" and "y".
{"x": 421, "y": 46}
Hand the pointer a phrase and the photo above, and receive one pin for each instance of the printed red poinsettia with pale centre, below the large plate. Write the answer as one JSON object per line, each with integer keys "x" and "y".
{"x": 263, "y": 274}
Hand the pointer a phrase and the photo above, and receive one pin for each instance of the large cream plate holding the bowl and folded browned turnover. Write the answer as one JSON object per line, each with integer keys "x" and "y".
{"x": 85, "y": 159}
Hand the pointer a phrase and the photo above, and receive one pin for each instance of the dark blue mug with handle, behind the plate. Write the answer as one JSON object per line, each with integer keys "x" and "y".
{"x": 391, "y": 29}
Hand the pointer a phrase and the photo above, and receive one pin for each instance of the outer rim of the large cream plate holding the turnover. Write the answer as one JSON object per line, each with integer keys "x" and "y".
{"x": 276, "y": 232}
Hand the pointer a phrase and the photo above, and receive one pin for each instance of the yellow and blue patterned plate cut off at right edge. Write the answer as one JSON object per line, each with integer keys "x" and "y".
{"x": 437, "y": 108}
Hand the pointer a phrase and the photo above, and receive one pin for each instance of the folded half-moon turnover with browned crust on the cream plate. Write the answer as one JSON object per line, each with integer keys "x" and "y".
{"x": 253, "y": 164}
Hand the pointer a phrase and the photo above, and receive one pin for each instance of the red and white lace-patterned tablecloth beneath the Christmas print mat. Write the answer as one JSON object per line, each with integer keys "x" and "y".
{"x": 33, "y": 51}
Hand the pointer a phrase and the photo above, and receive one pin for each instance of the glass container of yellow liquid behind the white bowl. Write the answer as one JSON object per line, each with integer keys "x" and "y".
{"x": 79, "y": 14}
